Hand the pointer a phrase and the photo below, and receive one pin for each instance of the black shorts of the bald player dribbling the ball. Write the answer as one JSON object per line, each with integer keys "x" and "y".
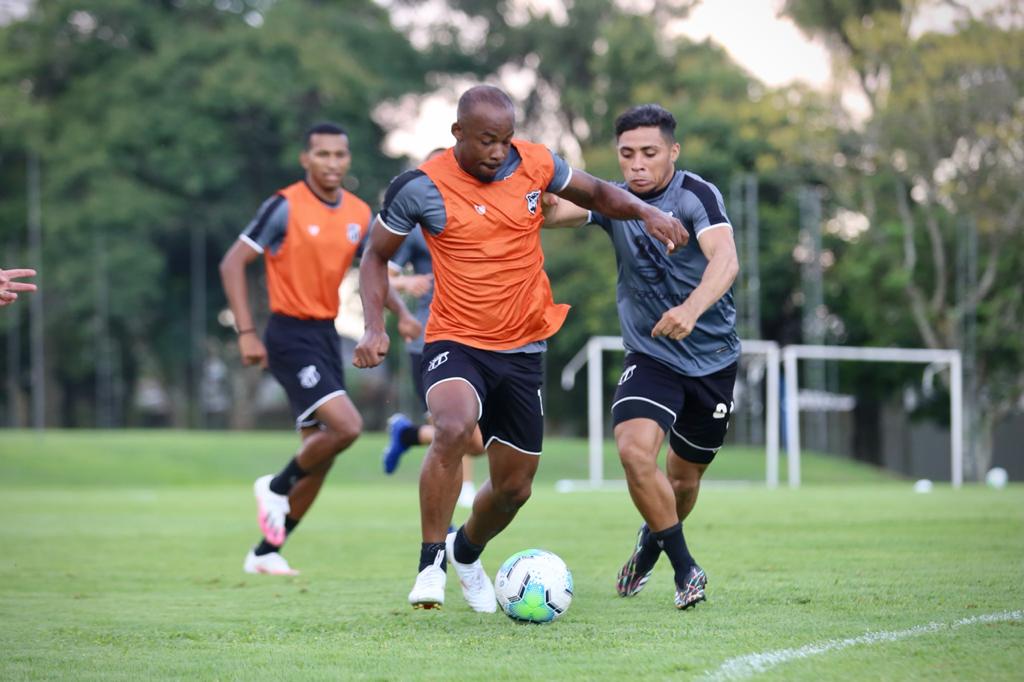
{"x": 508, "y": 390}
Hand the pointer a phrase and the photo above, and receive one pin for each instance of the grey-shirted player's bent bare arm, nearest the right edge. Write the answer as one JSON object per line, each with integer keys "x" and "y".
{"x": 718, "y": 245}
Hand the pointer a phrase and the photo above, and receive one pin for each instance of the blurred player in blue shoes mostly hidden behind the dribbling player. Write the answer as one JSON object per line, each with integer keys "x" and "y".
{"x": 403, "y": 433}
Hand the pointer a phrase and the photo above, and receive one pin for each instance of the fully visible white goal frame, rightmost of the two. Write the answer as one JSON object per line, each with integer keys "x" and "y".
{"x": 791, "y": 356}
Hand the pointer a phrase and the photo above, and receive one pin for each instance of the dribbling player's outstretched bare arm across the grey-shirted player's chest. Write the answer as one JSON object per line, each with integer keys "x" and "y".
{"x": 590, "y": 193}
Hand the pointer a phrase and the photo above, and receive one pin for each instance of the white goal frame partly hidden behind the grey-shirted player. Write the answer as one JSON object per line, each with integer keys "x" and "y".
{"x": 592, "y": 356}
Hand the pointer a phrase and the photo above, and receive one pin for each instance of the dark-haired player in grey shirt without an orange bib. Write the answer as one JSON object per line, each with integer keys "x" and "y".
{"x": 678, "y": 325}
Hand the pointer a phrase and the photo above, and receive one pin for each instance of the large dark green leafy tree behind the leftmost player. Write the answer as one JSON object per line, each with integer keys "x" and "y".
{"x": 161, "y": 127}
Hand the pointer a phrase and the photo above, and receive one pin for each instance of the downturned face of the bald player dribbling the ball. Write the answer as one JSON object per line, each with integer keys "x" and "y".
{"x": 484, "y": 140}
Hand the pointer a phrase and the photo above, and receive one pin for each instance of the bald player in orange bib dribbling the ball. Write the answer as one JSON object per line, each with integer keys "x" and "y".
{"x": 479, "y": 205}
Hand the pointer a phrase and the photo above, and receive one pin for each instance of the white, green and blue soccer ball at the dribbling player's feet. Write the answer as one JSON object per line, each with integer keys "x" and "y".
{"x": 534, "y": 586}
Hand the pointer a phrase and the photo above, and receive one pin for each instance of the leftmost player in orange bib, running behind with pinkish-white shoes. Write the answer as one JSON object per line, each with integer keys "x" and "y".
{"x": 309, "y": 235}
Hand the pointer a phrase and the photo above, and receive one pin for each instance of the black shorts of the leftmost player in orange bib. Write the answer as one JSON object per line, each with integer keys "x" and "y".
{"x": 306, "y": 359}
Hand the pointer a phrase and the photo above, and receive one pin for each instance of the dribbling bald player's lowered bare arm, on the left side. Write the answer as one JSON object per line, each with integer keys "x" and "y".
{"x": 375, "y": 290}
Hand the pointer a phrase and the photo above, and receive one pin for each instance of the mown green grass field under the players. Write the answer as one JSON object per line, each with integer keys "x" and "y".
{"x": 121, "y": 560}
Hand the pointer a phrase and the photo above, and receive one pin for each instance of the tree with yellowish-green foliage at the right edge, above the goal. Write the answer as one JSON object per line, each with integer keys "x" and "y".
{"x": 937, "y": 170}
